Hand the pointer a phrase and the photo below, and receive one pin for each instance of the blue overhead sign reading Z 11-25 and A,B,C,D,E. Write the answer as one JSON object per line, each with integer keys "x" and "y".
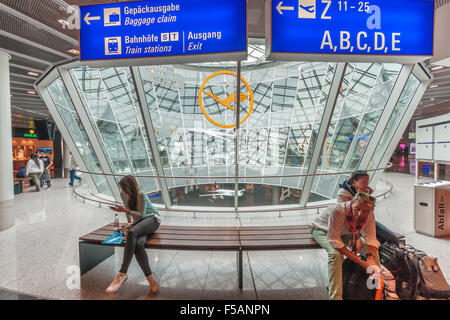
{"x": 333, "y": 30}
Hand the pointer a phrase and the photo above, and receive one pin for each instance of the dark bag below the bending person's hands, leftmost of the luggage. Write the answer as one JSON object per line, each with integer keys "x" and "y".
{"x": 354, "y": 282}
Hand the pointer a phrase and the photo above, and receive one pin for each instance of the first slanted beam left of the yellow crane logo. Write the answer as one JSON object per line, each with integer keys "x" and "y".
{"x": 140, "y": 93}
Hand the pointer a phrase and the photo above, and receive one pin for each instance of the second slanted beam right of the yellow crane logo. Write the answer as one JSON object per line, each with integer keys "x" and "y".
{"x": 396, "y": 92}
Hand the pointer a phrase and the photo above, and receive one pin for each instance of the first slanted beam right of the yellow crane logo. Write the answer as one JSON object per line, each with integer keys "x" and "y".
{"x": 330, "y": 104}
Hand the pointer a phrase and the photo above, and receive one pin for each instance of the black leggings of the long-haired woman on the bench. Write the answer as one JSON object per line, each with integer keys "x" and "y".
{"x": 137, "y": 236}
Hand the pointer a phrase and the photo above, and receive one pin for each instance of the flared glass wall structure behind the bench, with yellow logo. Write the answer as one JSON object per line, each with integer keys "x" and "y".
{"x": 280, "y": 136}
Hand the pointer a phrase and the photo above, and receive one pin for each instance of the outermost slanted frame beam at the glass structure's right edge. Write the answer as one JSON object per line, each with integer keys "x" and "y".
{"x": 399, "y": 131}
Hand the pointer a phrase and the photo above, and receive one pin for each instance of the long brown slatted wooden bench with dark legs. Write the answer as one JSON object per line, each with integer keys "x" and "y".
{"x": 92, "y": 251}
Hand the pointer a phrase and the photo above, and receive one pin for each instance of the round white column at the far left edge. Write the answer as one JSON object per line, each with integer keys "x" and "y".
{"x": 7, "y": 216}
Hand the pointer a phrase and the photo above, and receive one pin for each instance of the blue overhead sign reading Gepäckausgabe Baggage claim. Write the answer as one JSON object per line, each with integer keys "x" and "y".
{"x": 162, "y": 28}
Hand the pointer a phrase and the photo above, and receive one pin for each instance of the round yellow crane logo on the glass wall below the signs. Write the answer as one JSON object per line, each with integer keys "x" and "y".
{"x": 228, "y": 103}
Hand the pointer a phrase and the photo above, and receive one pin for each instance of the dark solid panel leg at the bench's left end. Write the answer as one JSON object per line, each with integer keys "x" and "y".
{"x": 93, "y": 254}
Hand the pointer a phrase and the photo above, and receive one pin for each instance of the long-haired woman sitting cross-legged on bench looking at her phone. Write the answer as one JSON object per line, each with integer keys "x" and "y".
{"x": 144, "y": 218}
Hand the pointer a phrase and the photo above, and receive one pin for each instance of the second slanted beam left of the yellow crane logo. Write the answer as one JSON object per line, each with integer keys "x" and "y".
{"x": 90, "y": 132}
